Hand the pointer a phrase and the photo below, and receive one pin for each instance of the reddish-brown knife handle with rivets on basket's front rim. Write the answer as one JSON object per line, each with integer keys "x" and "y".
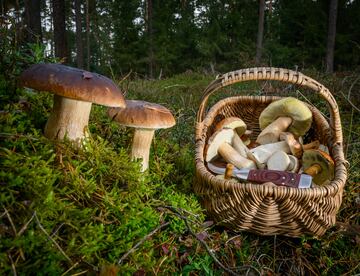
{"x": 279, "y": 178}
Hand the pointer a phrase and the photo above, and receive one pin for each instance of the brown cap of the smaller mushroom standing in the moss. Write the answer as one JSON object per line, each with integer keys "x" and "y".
{"x": 142, "y": 114}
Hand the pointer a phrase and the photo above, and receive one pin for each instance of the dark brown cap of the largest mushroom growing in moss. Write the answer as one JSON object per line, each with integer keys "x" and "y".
{"x": 73, "y": 83}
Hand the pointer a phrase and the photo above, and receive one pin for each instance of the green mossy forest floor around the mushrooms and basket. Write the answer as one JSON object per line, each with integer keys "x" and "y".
{"x": 68, "y": 211}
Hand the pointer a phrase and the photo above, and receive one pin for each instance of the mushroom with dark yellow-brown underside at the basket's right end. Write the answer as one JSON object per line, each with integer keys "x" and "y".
{"x": 319, "y": 165}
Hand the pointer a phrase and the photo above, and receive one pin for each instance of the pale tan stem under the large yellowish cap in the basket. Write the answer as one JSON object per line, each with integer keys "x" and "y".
{"x": 271, "y": 133}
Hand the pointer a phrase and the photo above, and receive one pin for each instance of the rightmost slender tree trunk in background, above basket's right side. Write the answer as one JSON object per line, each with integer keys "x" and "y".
{"x": 331, "y": 37}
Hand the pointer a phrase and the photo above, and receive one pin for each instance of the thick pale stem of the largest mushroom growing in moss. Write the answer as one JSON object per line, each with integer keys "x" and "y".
{"x": 69, "y": 118}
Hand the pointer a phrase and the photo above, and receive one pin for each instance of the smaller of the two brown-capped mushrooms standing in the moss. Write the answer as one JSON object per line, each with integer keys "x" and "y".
{"x": 145, "y": 118}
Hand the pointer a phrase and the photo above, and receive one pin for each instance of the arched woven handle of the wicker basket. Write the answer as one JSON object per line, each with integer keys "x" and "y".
{"x": 279, "y": 74}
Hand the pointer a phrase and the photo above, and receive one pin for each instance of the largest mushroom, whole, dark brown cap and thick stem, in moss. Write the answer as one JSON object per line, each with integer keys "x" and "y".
{"x": 74, "y": 91}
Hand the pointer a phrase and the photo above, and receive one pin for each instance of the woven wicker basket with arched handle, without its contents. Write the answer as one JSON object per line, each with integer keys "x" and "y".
{"x": 264, "y": 209}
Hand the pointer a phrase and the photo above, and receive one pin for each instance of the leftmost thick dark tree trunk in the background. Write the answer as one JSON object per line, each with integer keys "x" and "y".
{"x": 33, "y": 21}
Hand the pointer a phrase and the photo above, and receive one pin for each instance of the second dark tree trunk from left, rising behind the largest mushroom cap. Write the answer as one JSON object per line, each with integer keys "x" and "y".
{"x": 60, "y": 30}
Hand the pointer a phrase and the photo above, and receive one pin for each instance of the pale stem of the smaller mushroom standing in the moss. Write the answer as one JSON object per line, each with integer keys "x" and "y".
{"x": 141, "y": 146}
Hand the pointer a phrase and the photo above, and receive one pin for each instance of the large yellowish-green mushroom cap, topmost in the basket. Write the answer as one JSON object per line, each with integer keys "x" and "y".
{"x": 288, "y": 107}
